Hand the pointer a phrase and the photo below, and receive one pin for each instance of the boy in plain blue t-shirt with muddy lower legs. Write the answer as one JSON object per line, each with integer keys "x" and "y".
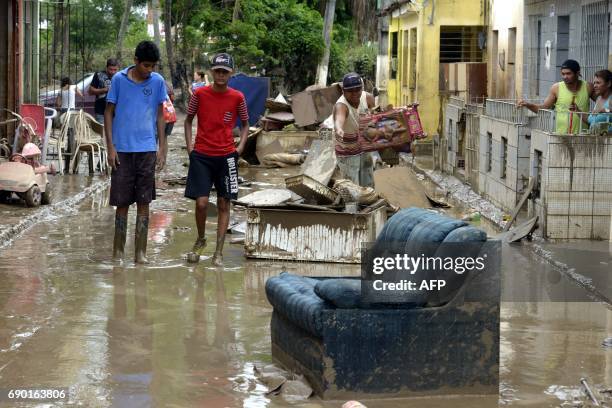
{"x": 133, "y": 120}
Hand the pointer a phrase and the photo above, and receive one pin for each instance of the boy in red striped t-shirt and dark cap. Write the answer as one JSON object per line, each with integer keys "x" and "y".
{"x": 213, "y": 159}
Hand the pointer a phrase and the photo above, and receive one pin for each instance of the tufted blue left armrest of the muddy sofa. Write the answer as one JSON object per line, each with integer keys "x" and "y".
{"x": 294, "y": 297}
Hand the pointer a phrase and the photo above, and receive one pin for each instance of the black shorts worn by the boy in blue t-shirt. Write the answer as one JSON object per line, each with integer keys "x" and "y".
{"x": 134, "y": 179}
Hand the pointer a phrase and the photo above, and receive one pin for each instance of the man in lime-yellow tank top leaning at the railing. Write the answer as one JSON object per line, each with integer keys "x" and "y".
{"x": 568, "y": 96}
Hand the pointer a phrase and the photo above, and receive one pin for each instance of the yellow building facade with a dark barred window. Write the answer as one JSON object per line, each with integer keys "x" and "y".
{"x": 423, "y": 36}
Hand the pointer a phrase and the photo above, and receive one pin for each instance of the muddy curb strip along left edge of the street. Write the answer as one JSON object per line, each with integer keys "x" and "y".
{"x": 8, "y": 234}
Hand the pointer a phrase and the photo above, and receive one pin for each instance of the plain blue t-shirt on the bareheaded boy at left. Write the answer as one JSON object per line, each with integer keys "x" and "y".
{"x": 136, "y": 104}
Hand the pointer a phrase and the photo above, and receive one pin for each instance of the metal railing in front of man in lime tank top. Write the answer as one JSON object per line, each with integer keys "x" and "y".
{"x": 576, "y": 123}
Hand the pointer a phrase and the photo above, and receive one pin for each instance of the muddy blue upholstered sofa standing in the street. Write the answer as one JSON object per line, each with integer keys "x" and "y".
{"x": 322, "y": 329}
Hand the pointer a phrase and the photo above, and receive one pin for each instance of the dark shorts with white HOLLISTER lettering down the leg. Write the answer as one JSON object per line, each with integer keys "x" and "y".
{"x": 206, "y": 171}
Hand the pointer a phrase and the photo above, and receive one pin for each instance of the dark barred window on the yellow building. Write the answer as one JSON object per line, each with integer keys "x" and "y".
{"x": 460, "y": 44}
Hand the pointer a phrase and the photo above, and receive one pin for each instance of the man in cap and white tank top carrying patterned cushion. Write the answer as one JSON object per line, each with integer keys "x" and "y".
{"x": 353, "y": 164}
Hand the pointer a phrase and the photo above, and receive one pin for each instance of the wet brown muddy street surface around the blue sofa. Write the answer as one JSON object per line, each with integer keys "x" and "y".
{"x": 173, "y": 334}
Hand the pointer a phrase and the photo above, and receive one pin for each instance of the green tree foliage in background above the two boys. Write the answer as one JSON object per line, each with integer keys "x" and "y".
{"x": 281, "y": 38}
